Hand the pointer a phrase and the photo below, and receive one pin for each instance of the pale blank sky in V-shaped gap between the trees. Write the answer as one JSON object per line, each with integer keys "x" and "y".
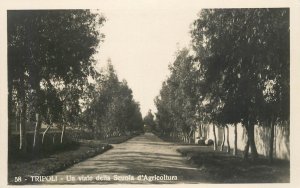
{"x": 141, "y": 43}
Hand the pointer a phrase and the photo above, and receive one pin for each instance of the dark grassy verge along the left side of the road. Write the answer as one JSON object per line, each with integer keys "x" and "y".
{"x": 59, "y": 160}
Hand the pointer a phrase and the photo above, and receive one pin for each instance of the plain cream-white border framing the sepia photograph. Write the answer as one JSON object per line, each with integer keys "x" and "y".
{"x": 162, "y": 4}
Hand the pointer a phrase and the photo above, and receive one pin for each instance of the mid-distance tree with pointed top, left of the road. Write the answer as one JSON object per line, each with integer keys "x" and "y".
{"x": 112, "y": 110}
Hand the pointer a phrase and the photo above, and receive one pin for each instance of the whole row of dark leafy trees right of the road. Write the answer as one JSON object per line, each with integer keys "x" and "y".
{"x": 237, "y": 71}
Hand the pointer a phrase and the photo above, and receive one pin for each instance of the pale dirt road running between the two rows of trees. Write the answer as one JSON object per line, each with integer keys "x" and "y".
{"x": 145, "y": 159}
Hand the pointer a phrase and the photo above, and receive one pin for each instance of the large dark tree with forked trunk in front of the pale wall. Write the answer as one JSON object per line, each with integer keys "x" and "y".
{"x": 238, "y": 56}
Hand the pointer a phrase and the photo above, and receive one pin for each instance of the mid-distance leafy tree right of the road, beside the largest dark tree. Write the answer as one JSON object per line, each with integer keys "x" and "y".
{"x": 179, "y": 94}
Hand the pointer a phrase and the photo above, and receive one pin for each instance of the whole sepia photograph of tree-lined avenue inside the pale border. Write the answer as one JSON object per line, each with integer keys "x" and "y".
{"x": 148, "y": 95}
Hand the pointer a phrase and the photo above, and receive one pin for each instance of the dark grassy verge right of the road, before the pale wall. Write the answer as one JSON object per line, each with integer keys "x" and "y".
{"x": 223, "y": 167}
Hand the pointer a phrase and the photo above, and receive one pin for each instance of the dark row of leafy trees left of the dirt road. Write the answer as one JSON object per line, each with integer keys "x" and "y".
{"x": 52, "y": 80}
